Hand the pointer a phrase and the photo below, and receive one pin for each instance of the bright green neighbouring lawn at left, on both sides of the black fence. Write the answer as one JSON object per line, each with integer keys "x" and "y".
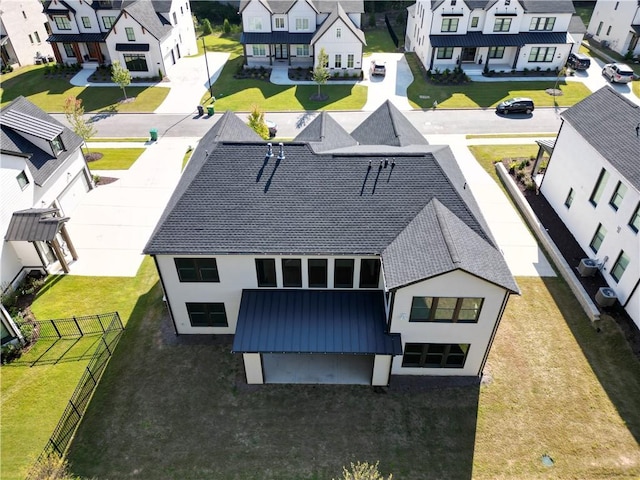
{"x": 33, "y": 398}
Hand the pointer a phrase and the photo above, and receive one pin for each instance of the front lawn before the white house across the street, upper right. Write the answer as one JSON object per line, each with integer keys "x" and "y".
{"x": 488, "y": 94}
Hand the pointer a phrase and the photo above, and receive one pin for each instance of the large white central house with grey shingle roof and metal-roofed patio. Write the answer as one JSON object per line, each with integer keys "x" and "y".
{"x": 334, "y": 258}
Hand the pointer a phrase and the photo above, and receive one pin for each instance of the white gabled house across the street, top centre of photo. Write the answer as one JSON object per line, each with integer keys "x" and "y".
{"x": 295, "y": 31}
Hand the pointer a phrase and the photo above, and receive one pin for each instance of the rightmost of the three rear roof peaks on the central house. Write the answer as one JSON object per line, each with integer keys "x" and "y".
{"x": 388, "y": 126}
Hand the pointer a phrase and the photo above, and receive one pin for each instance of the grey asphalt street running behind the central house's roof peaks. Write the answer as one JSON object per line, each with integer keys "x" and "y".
{"x": 428, "y": 122}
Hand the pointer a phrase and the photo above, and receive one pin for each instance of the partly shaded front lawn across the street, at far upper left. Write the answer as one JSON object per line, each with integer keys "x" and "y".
{"x": 50, "y": 93}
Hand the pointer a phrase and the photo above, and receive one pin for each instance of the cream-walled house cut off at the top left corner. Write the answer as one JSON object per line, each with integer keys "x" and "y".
{"x": 23, "y": 36}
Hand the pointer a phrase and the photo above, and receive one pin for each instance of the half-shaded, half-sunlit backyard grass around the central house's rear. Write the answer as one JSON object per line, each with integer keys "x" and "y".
{"x": 177, "y": 407}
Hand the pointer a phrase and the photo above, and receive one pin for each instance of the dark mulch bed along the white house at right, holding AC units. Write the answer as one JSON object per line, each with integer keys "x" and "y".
{"x": 573, "y": 253}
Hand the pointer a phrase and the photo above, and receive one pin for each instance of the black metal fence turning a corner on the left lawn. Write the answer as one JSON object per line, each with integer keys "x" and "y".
{"x": 111, "y": 327}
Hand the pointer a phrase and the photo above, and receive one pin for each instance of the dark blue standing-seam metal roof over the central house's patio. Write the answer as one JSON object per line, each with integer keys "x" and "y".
{"x": 314, "y": 321}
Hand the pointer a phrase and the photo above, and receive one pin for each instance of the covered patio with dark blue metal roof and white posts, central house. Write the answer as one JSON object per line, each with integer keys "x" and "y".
{"x": 315, "y": 336}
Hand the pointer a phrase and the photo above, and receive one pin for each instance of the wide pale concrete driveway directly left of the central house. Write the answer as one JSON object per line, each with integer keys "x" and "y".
{"x": 113, "y": 222}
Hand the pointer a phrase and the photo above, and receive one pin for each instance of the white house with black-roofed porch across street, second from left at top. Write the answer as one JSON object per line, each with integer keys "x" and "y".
{"x": 145, "y": 36}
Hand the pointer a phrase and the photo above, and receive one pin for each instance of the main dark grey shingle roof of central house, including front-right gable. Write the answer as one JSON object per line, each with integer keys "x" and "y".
{"x": 233, "y": 199}
